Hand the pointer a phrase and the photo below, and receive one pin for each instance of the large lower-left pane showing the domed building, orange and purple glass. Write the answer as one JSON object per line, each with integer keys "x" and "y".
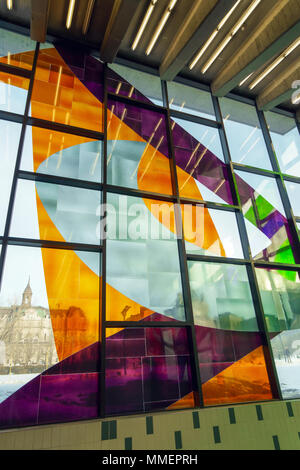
{"x": 49, "y": 310}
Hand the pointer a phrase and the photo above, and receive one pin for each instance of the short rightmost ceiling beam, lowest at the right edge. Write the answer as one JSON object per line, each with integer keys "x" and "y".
{"x": 279, "y": 90}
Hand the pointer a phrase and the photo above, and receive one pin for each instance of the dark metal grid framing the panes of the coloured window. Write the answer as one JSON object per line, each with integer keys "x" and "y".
{"x": 248, "y": 261}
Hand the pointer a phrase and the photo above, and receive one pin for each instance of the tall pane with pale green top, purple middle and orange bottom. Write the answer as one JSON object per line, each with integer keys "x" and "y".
{"x": 230, "y": 352}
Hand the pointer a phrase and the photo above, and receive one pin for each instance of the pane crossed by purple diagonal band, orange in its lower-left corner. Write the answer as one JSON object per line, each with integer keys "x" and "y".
{"x": 200, "y": 172}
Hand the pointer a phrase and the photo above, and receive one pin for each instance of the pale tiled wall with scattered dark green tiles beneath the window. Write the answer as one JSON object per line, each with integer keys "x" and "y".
{"x": 265, "y": 426}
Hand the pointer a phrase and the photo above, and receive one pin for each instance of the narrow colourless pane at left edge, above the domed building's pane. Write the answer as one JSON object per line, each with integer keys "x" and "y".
{"x": 9, "y": 137}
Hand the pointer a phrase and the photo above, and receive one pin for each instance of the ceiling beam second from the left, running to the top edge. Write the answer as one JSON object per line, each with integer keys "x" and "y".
{"x": 122, "y": 13}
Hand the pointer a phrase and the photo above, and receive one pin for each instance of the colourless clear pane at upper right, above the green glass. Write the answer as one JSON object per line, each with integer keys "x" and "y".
{"x": 244, "y": 134}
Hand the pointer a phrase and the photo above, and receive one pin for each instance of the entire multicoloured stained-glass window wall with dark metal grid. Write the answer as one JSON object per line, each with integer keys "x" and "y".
{"x": 158, "y": 226}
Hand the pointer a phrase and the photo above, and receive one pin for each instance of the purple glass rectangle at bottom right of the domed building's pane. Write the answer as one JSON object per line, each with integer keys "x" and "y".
{"x": 68, "y": 397}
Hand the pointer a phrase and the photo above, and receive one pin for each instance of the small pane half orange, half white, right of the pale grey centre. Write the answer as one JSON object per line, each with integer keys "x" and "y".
{"x": 211, "y": 232}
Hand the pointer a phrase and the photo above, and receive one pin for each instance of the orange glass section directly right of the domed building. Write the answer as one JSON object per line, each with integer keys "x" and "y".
{"x": 73, "y": 295}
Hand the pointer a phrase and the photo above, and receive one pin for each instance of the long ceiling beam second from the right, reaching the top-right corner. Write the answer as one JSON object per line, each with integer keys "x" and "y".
{"x": 252, "y": 54}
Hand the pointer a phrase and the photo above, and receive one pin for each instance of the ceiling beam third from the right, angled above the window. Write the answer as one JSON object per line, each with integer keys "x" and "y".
{"x": 179, "y": 55}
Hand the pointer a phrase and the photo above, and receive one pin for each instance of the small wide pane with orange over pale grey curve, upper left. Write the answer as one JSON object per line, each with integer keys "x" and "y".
{"x": 59, "y": 154}
